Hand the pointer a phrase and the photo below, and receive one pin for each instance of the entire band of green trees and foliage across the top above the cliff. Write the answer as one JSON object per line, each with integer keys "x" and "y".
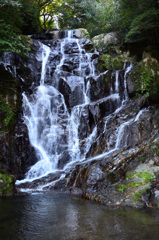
{"x": 135, "y": 21}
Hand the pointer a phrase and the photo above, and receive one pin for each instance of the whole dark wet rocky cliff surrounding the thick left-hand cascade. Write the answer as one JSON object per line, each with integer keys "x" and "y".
{"x": 120, "y": 166}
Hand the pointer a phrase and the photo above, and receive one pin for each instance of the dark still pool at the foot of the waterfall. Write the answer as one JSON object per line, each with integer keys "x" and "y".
{"x": 62, "y": 217}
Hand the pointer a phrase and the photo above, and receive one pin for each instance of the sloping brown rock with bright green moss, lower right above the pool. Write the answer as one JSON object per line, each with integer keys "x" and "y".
{"x": 124, "y": 176}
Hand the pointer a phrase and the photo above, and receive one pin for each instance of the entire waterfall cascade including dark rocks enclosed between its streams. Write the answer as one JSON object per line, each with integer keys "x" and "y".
{"x": 54, "y": 117}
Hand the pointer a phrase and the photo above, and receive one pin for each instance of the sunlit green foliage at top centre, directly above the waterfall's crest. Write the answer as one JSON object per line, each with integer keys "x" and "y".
{"x": 86, "y": 14}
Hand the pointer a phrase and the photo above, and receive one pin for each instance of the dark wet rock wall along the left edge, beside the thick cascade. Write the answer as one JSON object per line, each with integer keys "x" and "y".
{"x": 17, "y": 74}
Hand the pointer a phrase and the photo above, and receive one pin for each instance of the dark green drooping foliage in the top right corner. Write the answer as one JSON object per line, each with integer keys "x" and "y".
{"x": 137, "y": 21}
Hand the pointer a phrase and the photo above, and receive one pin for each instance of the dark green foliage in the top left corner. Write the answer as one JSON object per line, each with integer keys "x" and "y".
{"x": 11, "y": 24}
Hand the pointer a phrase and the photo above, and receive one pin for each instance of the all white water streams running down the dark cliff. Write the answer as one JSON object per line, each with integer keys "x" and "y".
{"x": 48, "y": 119}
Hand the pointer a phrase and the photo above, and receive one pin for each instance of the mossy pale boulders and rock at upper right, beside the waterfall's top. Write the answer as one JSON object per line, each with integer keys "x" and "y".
{"x": 145, "y": 75}
